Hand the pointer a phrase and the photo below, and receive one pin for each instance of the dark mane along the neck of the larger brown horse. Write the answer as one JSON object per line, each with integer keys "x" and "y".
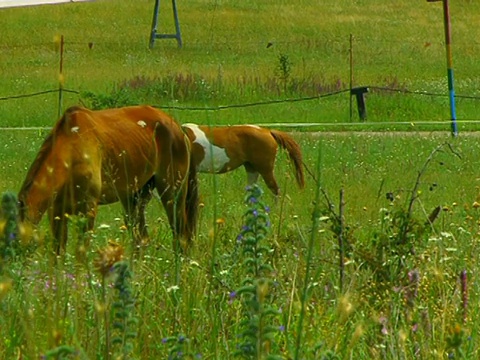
{"x": 46, "y": 149}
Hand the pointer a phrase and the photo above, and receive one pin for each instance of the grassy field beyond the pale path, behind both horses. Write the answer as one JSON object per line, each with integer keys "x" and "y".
{"x": 226, "y": 59}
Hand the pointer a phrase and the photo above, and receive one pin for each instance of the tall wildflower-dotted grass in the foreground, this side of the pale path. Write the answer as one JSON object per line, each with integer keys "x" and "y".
{"x": 398, "y": 299}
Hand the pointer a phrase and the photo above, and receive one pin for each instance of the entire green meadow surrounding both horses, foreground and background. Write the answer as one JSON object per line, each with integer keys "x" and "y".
{"x": 375, "y": 259}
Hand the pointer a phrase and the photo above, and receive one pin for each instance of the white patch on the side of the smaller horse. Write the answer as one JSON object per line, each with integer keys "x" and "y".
{"x": 215, "y": 157}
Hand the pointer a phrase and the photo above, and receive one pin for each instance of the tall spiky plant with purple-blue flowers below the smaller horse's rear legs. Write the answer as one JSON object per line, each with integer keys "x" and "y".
{"x": 257, "y": 326}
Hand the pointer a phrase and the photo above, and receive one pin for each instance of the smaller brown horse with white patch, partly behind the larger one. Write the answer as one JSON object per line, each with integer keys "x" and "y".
{"x": 222, "y": 149}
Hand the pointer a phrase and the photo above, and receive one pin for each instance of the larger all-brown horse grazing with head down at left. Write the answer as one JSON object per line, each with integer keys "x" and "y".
{"x": 92, "y": 158}
